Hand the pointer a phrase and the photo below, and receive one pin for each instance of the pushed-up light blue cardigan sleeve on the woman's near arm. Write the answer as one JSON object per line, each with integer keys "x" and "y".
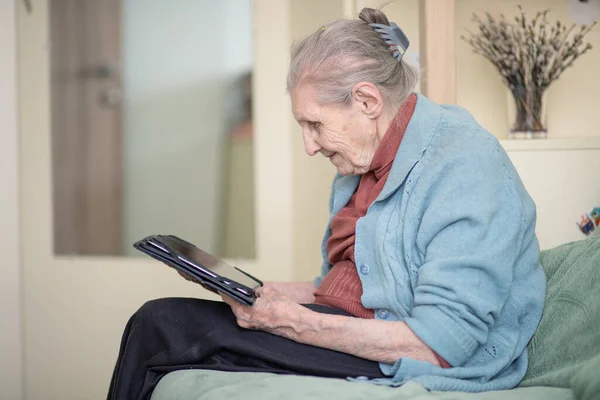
{"x": 469, "y": 238}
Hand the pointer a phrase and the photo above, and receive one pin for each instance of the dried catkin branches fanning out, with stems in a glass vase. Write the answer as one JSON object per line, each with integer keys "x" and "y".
{"x": 529, "y": 54}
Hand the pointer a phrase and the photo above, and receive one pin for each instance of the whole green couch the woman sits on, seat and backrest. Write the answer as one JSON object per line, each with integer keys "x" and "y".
{"x": 564, "y": 354}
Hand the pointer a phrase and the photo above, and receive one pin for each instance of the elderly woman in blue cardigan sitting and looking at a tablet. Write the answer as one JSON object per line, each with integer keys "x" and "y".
{"x": 430, "y": 261}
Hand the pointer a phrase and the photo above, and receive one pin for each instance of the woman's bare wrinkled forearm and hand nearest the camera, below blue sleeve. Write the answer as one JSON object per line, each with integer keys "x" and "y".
{"x": 376, "y": 340}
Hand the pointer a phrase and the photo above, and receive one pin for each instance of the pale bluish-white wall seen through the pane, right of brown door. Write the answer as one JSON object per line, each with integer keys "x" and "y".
{"x": 179, "y": 62}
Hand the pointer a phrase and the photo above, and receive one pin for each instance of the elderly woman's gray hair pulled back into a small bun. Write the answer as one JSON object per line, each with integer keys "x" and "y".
{"x": 345, "y": 52}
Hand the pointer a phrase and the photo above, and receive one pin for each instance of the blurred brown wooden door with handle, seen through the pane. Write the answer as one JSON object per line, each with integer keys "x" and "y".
{"x": 86, "y": 126}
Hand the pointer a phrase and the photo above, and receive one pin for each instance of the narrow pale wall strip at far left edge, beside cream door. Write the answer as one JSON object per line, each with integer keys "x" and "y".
{"x": 10, "y": 271}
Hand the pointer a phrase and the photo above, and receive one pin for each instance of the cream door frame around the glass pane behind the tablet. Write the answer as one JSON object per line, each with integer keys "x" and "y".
{"x": 75, "y": 308}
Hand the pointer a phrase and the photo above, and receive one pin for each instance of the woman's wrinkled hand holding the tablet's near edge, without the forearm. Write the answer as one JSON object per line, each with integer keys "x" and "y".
{"x": 272, "y": 312}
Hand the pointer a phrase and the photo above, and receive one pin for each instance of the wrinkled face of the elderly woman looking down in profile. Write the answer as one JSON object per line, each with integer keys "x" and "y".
{"x": 345, "y": 135}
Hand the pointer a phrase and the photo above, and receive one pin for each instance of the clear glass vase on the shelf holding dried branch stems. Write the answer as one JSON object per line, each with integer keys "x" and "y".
{"x": 527, "y": 112}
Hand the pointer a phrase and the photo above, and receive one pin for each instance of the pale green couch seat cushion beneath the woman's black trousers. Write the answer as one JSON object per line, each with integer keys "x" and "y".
{"x": 209, "y": 385}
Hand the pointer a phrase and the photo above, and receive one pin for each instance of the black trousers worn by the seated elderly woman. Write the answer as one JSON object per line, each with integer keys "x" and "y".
{"x": 171, "y": 334}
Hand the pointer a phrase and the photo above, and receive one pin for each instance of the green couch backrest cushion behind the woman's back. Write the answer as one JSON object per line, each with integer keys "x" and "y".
{"x": 567, "y": 337}
